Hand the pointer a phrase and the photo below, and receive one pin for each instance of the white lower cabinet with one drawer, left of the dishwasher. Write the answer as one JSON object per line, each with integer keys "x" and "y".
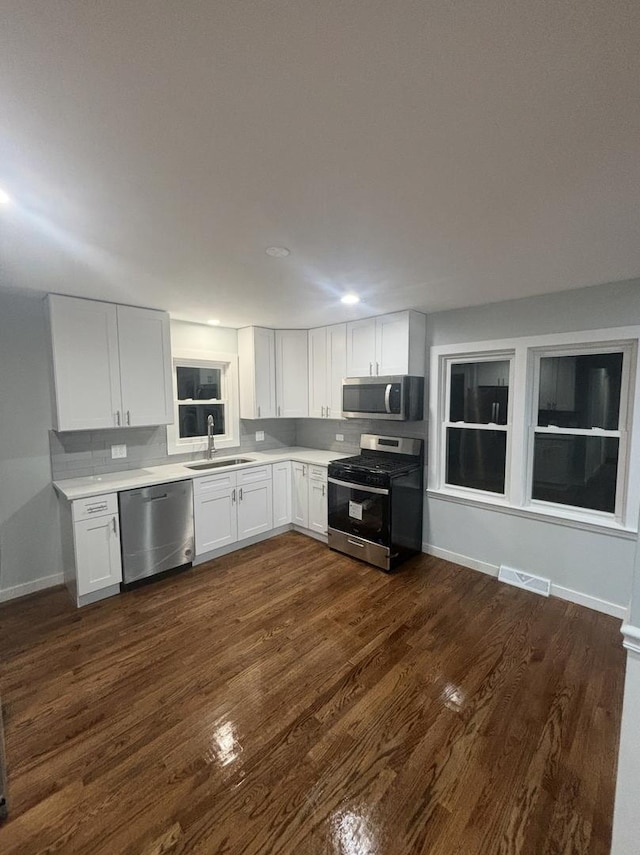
{"x": 95, "y": 563}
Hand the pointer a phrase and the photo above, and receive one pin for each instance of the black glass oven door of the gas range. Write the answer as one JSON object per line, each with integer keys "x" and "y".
{"x": 355, "y": 509}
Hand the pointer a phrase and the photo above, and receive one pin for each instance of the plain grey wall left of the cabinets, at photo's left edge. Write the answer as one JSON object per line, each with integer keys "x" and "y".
{"x": 30, "y": 549}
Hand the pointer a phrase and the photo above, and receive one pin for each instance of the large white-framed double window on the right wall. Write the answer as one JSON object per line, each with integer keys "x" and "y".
{"x": 541, "y": 424}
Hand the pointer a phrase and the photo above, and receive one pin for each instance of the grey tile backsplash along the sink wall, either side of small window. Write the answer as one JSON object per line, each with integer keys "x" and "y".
{"x": 78, "y": 453}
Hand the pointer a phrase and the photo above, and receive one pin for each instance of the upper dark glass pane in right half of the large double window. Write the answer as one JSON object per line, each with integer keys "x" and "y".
{"x": 580, "y": 391}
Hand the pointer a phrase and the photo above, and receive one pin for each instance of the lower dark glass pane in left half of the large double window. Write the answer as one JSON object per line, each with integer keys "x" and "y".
{"x": 476, "y": 458}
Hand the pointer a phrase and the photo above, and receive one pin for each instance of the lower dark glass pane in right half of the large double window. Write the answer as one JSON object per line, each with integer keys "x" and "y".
{"x": 576, "y": 470}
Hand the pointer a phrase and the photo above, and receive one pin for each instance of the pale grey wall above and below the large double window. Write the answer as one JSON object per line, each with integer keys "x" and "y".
{"x": 598, "y": 566}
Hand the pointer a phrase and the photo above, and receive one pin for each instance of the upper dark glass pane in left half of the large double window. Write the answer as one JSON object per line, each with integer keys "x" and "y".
{"x": 479, "y": 392}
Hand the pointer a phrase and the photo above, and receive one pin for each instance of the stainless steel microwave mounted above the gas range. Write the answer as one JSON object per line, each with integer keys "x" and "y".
{"x": 397, "y": 398}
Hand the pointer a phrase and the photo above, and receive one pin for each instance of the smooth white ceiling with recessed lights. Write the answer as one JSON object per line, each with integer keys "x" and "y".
{"x": 423, "y": 153}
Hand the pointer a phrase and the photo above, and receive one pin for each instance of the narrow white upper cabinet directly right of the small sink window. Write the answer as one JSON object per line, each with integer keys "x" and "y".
{"x": 257, "y": 373}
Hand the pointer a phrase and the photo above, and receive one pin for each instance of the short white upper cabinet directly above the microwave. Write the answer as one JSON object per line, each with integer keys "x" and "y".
{"x": 388, "y": 344}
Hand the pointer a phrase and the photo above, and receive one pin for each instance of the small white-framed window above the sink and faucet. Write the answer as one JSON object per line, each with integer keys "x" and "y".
{"x": 204, "y": 388}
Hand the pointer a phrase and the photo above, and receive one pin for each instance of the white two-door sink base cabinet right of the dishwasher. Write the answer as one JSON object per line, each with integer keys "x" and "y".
{"x": 231, "y": 506}
